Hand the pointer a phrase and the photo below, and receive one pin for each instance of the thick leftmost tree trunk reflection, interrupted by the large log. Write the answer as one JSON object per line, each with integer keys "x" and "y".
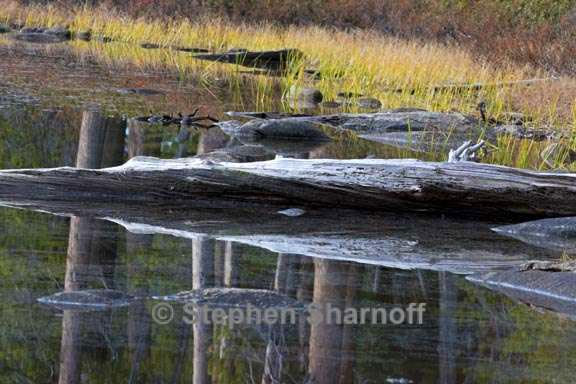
{"x": 90, "y": 242}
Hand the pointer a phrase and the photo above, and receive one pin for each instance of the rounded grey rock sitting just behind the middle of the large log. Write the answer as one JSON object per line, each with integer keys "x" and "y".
{"x": 277, "y": 129}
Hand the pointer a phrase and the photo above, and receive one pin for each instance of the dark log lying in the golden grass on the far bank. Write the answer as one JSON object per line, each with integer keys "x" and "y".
{"x": 266, "y": 59}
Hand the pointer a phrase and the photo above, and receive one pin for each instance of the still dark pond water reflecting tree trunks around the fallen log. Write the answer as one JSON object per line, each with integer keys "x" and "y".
{"x": 468, "y": 333}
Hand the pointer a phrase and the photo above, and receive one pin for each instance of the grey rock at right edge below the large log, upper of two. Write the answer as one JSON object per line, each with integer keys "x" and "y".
{"x": 558, "y": 234}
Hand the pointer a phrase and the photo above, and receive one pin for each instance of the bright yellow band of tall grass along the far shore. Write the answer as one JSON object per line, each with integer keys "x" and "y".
{"x": 360, "y": 62}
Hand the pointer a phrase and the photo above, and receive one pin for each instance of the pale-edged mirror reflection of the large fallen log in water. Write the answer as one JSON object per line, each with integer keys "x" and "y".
{"x": 405, "y": 241}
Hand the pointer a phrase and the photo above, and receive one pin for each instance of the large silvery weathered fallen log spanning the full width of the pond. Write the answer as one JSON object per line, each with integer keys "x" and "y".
{"x": 370, "y": 184}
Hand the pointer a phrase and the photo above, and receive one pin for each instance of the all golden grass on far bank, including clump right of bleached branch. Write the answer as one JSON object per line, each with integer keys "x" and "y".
{"x": 361, "y": 62}
